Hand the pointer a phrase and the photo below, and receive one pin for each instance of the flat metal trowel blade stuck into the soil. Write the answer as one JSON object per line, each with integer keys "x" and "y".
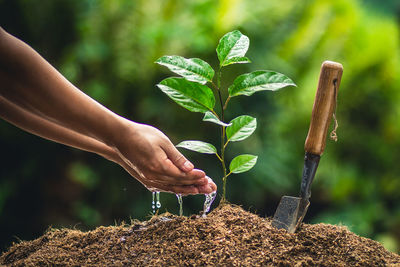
{"x": 290, "y": 213}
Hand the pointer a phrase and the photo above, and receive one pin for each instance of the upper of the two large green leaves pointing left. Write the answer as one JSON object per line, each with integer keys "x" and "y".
{"x": 192, "y": 69}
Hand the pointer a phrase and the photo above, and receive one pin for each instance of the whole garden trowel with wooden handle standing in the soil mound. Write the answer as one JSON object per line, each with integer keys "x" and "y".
{"x": 291, "y": 210}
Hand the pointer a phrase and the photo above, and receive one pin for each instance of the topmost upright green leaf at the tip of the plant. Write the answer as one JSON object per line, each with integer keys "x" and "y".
{"x": 232, "y": 45}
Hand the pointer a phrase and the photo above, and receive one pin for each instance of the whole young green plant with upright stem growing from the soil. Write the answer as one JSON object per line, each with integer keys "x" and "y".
{"x": 191, "y": 92}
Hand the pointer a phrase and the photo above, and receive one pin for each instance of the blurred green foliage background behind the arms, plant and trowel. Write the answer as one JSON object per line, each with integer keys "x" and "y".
{"x": 108, "y": 49}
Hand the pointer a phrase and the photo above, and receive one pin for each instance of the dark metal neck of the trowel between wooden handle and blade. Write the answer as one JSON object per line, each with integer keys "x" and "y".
{"x": 310, "y": 168}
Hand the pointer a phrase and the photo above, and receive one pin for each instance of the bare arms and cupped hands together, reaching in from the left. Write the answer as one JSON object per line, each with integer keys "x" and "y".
{"x": 36, "y": 97}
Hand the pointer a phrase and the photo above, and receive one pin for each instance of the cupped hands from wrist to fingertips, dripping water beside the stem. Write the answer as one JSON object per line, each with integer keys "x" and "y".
{"x": 151, "y": 158}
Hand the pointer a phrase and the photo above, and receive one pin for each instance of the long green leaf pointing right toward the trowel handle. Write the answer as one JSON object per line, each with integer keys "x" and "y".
{"x": 249, "y": 83}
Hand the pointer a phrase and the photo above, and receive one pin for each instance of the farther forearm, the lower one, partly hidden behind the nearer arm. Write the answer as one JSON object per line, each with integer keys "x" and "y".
{"x": 49, "y": 130}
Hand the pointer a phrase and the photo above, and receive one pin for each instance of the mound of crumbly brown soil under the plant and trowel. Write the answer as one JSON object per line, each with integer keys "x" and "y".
{"x": 227, "y": 236}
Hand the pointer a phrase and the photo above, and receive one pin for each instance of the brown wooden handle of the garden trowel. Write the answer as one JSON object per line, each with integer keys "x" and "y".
{"x": 324, "y": 105}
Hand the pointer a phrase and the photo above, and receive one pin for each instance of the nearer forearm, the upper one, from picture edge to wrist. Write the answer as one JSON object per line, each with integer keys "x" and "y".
{"x": 26, "y": 78}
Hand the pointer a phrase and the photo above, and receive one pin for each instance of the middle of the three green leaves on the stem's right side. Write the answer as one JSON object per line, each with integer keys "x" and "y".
{"x": 241, "y": 128}
